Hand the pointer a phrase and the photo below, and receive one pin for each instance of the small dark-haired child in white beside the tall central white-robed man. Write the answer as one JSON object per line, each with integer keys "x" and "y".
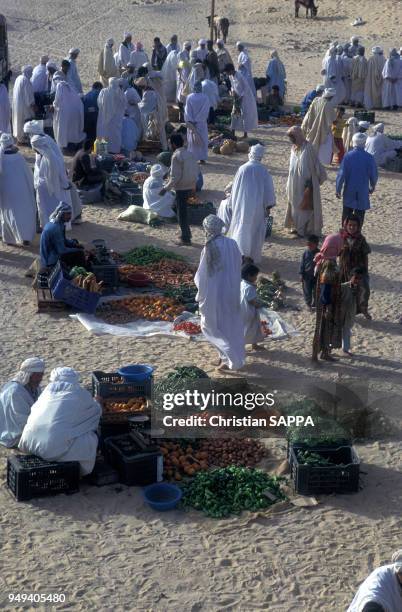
{"x": 250, "y": 304}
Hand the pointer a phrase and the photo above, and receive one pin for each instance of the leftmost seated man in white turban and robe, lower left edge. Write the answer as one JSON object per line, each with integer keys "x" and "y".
{"x": 16, "y": 399}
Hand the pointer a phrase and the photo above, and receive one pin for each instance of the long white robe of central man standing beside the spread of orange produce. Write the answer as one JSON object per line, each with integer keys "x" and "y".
{"x": 219, "y": 303}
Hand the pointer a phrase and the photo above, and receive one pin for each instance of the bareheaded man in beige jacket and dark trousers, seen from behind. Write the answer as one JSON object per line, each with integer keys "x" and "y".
{"x": 183, "y": 176}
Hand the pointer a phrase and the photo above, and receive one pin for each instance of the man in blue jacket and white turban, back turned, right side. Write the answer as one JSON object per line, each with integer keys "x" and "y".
{"x": 357, "y": 176}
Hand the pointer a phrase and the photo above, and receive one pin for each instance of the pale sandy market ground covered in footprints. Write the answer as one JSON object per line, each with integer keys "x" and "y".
{"x": 103, "y": 548}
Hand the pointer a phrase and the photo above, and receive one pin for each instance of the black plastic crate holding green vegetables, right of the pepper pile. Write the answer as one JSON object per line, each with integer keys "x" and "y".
{"x": 315, "y": 480}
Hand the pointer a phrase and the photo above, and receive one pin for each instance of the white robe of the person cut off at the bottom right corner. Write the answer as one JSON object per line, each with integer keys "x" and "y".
{"x": 381, "y": 587}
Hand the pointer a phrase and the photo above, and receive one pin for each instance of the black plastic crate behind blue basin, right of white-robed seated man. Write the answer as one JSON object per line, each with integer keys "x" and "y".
{"x": 137, "y": 464}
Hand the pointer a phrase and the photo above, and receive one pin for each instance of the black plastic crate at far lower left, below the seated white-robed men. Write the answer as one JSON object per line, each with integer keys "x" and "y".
{"x": 29, "y": 476}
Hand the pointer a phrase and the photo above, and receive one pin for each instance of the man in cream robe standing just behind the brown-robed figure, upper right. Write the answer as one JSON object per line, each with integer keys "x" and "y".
{"x": 317, "y": 125}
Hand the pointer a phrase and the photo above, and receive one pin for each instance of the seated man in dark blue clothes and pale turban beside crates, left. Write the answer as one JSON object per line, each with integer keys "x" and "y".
{"x": 55, "y": 246}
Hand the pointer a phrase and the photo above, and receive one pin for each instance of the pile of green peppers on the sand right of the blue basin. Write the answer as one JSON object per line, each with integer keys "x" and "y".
{"x": 225, "y": 491}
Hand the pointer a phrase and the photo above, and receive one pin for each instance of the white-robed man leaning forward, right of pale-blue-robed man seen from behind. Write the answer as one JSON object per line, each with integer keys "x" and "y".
{"x": 245, "y": 114}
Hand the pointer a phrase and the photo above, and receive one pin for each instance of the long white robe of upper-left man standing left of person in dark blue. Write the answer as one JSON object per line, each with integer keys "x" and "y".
{"x": 68, "y": 120}
